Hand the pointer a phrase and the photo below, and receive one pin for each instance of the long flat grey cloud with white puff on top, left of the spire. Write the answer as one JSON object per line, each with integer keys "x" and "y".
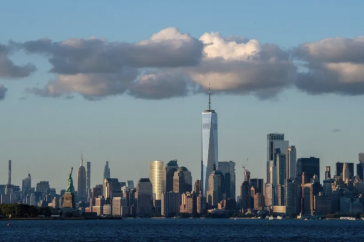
{"x": 167, "y": 48}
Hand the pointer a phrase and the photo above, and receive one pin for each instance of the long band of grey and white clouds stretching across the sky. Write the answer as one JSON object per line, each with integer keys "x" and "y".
{"x": 174, "y": 64}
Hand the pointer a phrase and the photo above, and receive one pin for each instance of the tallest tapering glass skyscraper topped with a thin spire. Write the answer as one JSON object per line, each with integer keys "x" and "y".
{"x": 209, "y": 145}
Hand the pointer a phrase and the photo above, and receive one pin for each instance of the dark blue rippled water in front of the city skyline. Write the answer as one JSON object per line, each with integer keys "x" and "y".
{"x": 182, "y": 230}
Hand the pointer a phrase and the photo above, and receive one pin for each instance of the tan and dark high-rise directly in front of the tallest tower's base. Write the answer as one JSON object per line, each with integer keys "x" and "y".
{"x": 215, "y": 190}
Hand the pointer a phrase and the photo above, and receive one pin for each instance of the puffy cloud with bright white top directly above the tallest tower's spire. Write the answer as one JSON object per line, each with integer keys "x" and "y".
{"x": 241, "y": 67}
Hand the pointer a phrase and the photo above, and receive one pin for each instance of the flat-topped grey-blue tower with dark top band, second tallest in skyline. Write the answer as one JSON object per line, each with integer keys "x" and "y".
{"x": 274, "y": 141}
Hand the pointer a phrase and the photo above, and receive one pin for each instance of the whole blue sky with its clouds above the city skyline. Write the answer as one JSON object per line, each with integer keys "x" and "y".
{"x": 127, "y": 82}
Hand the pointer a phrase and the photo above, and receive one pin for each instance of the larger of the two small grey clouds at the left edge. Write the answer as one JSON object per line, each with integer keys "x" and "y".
{"x": 10, "y": 70}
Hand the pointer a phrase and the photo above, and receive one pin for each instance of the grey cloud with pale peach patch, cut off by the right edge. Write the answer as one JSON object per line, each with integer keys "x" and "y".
{"x": 334, "y": 65}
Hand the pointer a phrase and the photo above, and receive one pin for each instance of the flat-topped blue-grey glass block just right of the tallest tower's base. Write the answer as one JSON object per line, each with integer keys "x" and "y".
{"x": 228, "y": 169}
